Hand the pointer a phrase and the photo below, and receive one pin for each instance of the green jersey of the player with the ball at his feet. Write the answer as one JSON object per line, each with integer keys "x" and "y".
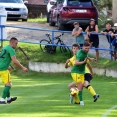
{"x": 80, "y": 69}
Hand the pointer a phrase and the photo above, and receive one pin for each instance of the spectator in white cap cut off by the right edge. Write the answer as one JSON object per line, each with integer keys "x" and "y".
{"x": 114, "y": 42}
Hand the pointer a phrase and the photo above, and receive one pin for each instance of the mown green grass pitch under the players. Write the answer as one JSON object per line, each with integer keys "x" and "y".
{"x": 46, "y": 95}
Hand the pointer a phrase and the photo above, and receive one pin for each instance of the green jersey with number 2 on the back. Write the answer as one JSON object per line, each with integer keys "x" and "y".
{"x": 5, "y": 57}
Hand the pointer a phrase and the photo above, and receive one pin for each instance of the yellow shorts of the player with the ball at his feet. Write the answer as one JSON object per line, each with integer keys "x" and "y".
{"x": 78, "y": 77}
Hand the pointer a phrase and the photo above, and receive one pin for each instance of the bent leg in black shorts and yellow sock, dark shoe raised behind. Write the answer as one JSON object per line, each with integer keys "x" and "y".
{"x": 87, "y": 85}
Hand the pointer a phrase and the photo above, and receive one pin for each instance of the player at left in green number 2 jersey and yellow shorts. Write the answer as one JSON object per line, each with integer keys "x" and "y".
{"x": 6, "y": 56}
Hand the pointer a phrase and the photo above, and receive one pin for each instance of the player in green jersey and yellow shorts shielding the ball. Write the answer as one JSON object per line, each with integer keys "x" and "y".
{"x": 78, "y": 70}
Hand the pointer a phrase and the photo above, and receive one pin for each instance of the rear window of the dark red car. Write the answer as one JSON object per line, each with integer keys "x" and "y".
{"x": 80, "y": 3}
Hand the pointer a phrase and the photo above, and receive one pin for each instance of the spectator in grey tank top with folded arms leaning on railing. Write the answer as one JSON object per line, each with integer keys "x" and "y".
{"x": 77, "y": 31}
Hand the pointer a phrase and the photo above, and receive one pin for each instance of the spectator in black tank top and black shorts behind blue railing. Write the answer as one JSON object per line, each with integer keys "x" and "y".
{"x": 93, "y": 38}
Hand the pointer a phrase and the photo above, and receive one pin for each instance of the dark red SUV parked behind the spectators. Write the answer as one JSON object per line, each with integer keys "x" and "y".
{"x": 66, "y": 12}
